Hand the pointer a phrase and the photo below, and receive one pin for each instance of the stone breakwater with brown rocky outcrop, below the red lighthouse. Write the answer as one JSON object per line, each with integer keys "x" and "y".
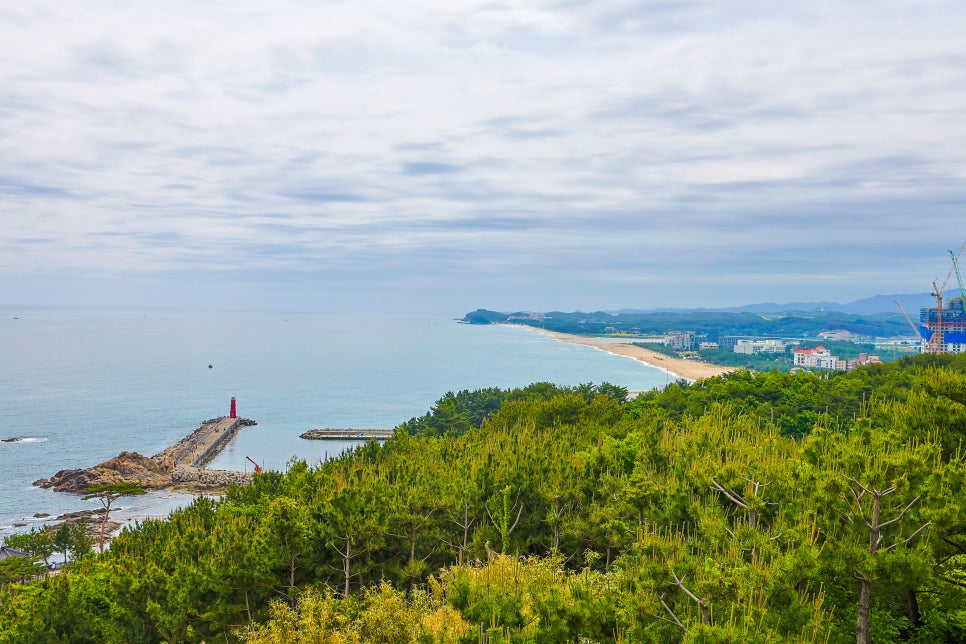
{"x": 178, "y": 467}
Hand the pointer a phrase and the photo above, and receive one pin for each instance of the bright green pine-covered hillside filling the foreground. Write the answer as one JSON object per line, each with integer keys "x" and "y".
{"x": 747, "y": 508}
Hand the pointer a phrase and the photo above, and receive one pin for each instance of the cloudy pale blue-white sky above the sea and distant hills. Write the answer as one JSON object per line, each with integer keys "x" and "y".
{"x": 445, "y": 155}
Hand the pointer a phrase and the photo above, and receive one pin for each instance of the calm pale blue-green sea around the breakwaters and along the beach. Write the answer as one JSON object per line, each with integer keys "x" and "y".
{"x": 79, "y": 386}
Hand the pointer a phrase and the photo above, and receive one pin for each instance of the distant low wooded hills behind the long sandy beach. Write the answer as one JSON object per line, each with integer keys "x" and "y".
{"x": 710, "y": 323}
